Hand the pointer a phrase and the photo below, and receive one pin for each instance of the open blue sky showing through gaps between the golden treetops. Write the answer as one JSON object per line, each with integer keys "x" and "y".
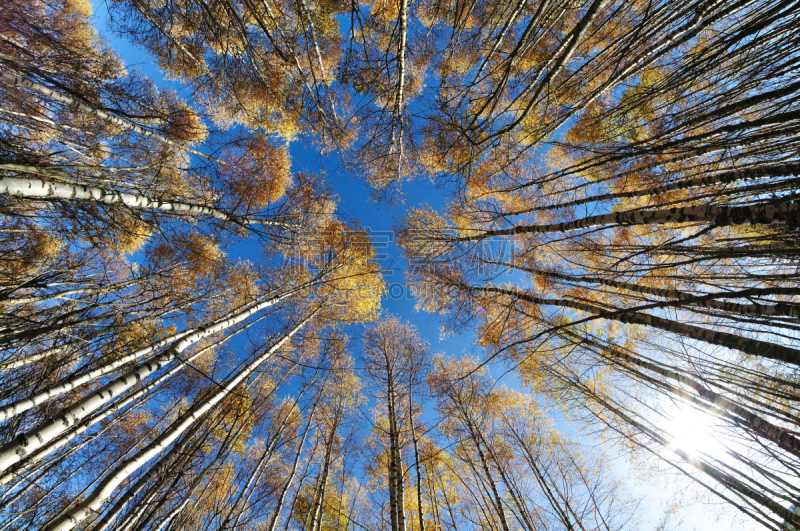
{"x": 355, "y": 203}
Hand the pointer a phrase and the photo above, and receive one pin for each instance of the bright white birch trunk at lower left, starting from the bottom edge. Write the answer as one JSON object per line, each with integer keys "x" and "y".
{"x": 94, "y": 502}
